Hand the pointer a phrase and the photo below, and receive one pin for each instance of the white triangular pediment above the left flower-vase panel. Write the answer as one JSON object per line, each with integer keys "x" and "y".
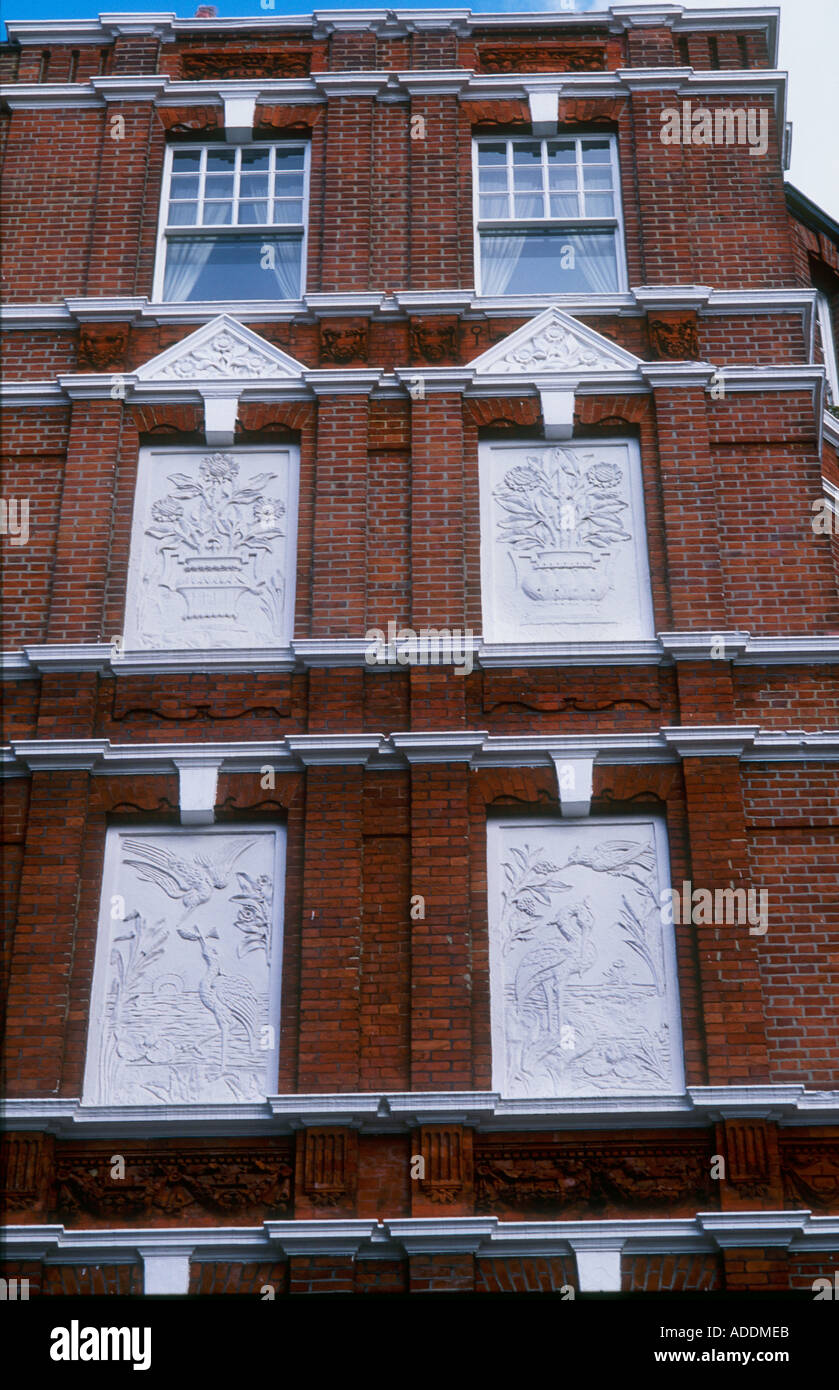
{"x": 222, "y": 351}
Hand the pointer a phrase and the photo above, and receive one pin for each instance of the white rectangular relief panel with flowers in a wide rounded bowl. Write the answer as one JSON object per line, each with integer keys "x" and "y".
{"x": 563, "y": 544}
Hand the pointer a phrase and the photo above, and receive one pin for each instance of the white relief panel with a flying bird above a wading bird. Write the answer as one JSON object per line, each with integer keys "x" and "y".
{"x": 185, "y": 1004}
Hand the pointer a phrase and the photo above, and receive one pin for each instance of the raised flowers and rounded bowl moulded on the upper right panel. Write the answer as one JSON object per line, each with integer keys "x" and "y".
{"x": 563, "y": 519}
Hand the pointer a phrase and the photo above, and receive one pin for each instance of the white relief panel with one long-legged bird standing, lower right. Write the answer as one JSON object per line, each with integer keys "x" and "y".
{"x": 584, "y": 983}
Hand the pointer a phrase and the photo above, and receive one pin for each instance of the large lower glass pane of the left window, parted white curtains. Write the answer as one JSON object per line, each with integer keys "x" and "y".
{"x": 233, "y": 268}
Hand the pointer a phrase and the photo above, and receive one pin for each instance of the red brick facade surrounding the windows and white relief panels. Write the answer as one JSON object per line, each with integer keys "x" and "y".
{"x": 379, "y": 1001}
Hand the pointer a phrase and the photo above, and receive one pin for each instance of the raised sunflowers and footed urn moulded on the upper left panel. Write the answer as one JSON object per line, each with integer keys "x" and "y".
{"x": 215, "y": 532}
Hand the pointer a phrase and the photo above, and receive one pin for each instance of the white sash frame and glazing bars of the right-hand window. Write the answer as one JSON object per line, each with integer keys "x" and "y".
{"x": 570, "y": 224}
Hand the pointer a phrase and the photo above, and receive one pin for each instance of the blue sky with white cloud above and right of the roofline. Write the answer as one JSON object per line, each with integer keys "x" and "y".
{"x": 809, "y": 47}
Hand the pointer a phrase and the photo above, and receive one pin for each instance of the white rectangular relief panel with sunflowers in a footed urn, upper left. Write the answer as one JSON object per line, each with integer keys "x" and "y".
{"x": 213, "y": 550}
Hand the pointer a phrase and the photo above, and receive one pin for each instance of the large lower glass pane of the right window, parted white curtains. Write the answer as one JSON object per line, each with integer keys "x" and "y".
{"x": 545, "y": 263}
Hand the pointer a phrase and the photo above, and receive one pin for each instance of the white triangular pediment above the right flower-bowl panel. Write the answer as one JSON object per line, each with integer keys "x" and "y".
{"x": 554, "y": 343}
